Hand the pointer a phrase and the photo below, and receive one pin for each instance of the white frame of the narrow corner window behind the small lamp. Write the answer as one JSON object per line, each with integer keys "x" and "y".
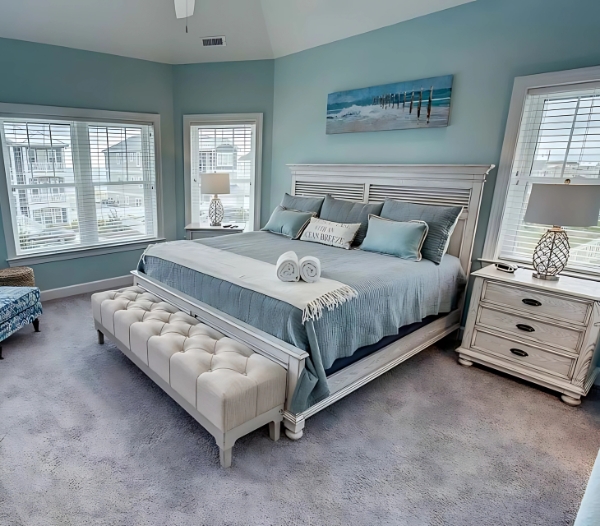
{"x": 223, "y": 119}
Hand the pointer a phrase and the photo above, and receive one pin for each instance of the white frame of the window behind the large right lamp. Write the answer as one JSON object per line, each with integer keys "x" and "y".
{"x": 521, "y": 87}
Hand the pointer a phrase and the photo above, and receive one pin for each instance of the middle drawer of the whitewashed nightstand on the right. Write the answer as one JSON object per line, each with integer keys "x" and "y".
{"x": 525, "y": 327}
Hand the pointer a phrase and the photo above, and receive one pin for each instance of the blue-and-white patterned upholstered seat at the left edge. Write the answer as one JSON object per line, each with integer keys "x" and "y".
{"x": 19, "y": 306}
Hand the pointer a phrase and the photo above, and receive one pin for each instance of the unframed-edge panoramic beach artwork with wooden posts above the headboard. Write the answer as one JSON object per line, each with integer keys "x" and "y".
{"x": 421, "y": 103}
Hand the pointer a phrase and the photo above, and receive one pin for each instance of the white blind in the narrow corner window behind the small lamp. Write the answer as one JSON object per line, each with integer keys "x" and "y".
{"x": 224, "y": 148}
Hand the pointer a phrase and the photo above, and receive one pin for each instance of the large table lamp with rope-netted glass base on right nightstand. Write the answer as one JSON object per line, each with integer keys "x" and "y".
{"x": 564, "y": 205}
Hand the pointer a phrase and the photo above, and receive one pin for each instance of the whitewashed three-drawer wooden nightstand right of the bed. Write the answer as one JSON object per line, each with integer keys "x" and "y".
{"x": 542, "y": 331}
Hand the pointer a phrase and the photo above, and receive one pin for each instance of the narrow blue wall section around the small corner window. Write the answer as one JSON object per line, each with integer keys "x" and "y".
{"x": 224, "y": 87}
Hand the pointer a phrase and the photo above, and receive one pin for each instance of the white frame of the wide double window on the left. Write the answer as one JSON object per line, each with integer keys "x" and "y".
{"x": 28, "y": 111}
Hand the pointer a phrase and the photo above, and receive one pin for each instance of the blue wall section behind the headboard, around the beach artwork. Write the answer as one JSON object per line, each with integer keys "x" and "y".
{"x": 485, "y": 44}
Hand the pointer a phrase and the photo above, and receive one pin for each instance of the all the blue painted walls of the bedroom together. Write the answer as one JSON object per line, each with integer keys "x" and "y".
{"x": 485, "y": 44}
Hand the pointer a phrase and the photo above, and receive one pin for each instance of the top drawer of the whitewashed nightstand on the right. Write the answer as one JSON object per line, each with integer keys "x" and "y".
{"x": 539, "y": 303}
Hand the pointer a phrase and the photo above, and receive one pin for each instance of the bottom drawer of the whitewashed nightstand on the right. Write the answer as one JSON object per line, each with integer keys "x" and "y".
{"x": 522, "y": 353}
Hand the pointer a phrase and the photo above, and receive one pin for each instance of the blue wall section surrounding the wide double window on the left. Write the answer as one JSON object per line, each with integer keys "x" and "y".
{"x": 56, "y": 76}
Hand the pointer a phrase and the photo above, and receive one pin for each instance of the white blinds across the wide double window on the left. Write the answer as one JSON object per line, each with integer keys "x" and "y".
{"x": 75, "y": 184}
